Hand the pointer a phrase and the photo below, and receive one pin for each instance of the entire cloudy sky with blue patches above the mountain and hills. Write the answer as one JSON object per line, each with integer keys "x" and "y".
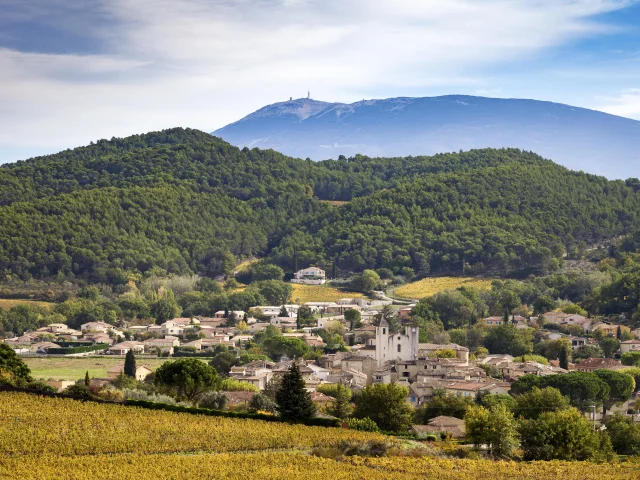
{"x": 75, "y": 71}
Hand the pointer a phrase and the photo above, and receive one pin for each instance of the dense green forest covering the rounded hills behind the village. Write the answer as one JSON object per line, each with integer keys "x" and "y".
{"x": 183, "y": 201}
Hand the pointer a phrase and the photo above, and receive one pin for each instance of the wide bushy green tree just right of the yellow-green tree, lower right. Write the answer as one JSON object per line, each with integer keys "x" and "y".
{"x": 561, "y": 435}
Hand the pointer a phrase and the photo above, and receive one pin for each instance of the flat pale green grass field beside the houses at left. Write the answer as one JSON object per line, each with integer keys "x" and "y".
{"x": 73, "y": 368}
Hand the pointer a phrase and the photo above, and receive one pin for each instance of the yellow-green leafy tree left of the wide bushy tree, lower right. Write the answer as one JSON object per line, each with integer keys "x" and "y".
{"x": 495, "y": 427}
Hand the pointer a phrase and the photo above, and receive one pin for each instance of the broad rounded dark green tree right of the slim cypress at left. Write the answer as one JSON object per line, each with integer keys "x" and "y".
{"x": 187, "y": 378}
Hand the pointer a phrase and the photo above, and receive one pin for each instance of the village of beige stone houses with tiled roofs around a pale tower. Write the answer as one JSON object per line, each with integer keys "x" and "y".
{"x": 366, "y": 351}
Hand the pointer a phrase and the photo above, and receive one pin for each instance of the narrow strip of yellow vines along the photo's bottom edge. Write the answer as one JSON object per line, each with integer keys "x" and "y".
{"x": 291, "y": 466}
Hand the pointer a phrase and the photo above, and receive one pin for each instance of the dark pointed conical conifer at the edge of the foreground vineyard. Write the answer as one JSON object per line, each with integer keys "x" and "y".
{"x": 292, "y": 399}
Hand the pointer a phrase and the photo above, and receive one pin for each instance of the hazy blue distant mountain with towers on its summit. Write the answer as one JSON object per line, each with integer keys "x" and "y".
{"x": 577, "y": 138}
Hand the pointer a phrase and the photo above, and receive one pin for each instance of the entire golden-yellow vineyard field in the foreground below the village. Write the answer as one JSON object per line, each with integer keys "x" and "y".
{"x": 44, "y": 438}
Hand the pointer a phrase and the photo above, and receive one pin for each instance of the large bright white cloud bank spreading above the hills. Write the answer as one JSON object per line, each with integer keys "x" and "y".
{"x": 206, "y": 63}
